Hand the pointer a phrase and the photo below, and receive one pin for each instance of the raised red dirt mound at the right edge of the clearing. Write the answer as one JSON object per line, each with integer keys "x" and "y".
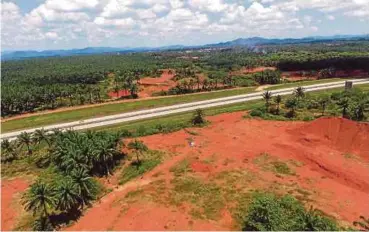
{"x": 345, "y": 135}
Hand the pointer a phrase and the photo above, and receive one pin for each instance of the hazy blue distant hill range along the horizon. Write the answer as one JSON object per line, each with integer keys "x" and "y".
{"x": 253, "y": 41}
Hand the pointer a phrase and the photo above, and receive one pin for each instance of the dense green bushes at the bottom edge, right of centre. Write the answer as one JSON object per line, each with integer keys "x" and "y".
{"x": 269, "y": 212}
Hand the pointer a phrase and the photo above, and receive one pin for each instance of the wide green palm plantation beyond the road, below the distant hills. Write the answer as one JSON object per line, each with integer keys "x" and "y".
{"x": 48, "y": 83}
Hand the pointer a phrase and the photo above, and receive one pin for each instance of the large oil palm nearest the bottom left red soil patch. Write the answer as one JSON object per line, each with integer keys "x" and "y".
{"x": 39, "y": 198}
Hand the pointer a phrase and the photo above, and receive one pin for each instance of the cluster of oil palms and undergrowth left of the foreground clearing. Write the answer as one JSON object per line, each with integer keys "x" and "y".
{"x": 65, "y": 164}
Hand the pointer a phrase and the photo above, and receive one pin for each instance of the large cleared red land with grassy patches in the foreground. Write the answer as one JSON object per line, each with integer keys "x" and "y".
{"x": 206, "y": 186}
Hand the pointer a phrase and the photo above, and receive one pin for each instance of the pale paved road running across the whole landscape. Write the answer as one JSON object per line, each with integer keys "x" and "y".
{"x": 179, "y": 108}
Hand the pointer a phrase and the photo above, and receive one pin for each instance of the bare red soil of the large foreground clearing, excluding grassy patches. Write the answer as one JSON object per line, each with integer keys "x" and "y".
{"x": 338, "y": 185}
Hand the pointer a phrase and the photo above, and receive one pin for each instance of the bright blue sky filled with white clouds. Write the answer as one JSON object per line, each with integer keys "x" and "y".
{"x": 66, "y": 24}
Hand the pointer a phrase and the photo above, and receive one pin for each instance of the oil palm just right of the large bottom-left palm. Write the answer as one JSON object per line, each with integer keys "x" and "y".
{"x": 67, "y": 195}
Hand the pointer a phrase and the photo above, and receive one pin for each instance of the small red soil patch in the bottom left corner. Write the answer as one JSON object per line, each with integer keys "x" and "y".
{"x": 10, "y": 206}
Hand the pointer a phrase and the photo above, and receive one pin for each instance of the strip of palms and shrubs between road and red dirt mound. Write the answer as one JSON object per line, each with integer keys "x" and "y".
{"x": 353, "y": 104}
